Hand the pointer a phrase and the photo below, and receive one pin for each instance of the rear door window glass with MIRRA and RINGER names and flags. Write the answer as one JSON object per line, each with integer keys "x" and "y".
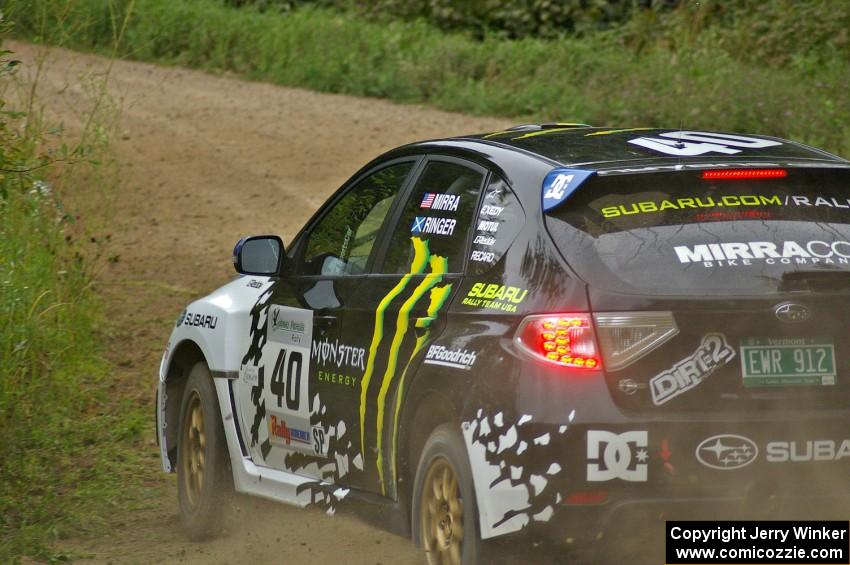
{"x": 439, "y": 211}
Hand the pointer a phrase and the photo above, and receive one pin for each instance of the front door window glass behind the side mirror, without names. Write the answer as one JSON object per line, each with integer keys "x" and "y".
{"x": 341, "y": 242}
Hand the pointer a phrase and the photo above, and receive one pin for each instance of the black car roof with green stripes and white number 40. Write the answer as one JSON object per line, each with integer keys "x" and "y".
{"x": 595, "y": 148}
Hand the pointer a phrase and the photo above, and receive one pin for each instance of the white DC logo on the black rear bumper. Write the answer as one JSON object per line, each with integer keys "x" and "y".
{"x": 617, "y": 456}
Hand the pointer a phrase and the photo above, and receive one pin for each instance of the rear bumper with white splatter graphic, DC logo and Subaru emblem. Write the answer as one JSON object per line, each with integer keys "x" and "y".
{"x": 580, "y": 482}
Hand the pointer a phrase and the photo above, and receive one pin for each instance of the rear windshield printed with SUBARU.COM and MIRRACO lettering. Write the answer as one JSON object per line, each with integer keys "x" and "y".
{"x": 676, "y": 233}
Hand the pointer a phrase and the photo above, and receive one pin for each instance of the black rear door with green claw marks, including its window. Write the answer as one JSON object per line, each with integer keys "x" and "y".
{"x": 398, "y": 312}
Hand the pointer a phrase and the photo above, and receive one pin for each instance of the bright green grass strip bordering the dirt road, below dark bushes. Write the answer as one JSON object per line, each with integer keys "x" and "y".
{"x": 601, "y": 78}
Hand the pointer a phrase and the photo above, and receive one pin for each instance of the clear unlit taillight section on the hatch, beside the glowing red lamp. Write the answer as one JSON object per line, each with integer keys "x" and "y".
{"x": 625, "y": 337}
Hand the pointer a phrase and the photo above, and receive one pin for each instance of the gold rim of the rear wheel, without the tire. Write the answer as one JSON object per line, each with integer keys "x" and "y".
{"x": 441, "y": 519}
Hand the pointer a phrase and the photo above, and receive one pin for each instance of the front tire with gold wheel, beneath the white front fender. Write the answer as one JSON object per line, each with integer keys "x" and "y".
{"x": 204, "y": 476}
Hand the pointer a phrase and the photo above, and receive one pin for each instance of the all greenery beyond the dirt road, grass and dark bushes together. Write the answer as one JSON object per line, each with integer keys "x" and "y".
{"x": 742, "y": 65}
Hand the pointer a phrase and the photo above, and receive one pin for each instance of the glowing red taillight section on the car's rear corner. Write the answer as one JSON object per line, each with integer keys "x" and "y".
{"x": 561, "y": 339}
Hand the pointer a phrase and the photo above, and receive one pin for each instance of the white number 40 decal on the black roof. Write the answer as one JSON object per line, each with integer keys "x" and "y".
{"x": 689, "y": 143}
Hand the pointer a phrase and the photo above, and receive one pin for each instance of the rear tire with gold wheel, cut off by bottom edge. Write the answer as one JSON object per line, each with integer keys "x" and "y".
{"x": 443, "y": 499}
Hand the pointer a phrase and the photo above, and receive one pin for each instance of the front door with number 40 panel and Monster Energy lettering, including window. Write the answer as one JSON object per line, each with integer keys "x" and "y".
{"x": 296, "y": 394}
